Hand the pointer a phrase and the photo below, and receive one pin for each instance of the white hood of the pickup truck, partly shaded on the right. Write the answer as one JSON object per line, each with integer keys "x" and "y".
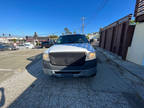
{"x": 79, "y": 47}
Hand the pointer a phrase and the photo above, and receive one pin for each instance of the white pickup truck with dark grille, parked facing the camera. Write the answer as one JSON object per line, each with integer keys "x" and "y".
{"x": 72, "y": 55}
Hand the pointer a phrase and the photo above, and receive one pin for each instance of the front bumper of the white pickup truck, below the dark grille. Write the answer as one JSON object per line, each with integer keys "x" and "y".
{"x": 88, "y": 69}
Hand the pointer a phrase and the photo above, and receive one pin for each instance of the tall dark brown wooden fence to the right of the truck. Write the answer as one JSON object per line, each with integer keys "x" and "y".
{"x": 117, "y": 36}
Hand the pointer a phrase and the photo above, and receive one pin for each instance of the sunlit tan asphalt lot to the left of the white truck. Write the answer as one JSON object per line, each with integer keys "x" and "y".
{"x": 12, "y": 61}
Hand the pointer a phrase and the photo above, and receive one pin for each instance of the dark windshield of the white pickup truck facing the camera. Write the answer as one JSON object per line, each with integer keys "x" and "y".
{"x": 72, "y": 39}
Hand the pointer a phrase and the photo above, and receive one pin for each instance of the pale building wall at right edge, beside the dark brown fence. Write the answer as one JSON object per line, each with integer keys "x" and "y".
{"x": 136, "y": 51}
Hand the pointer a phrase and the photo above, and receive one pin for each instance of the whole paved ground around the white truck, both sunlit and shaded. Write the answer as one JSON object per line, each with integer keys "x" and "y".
{"x": 23, "y": 85}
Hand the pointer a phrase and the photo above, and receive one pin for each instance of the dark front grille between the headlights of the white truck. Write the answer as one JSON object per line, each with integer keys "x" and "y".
{"x": 67, "y": 59}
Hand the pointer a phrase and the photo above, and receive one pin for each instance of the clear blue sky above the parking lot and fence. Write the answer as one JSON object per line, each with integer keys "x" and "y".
{"x": 24, "y": 17}
